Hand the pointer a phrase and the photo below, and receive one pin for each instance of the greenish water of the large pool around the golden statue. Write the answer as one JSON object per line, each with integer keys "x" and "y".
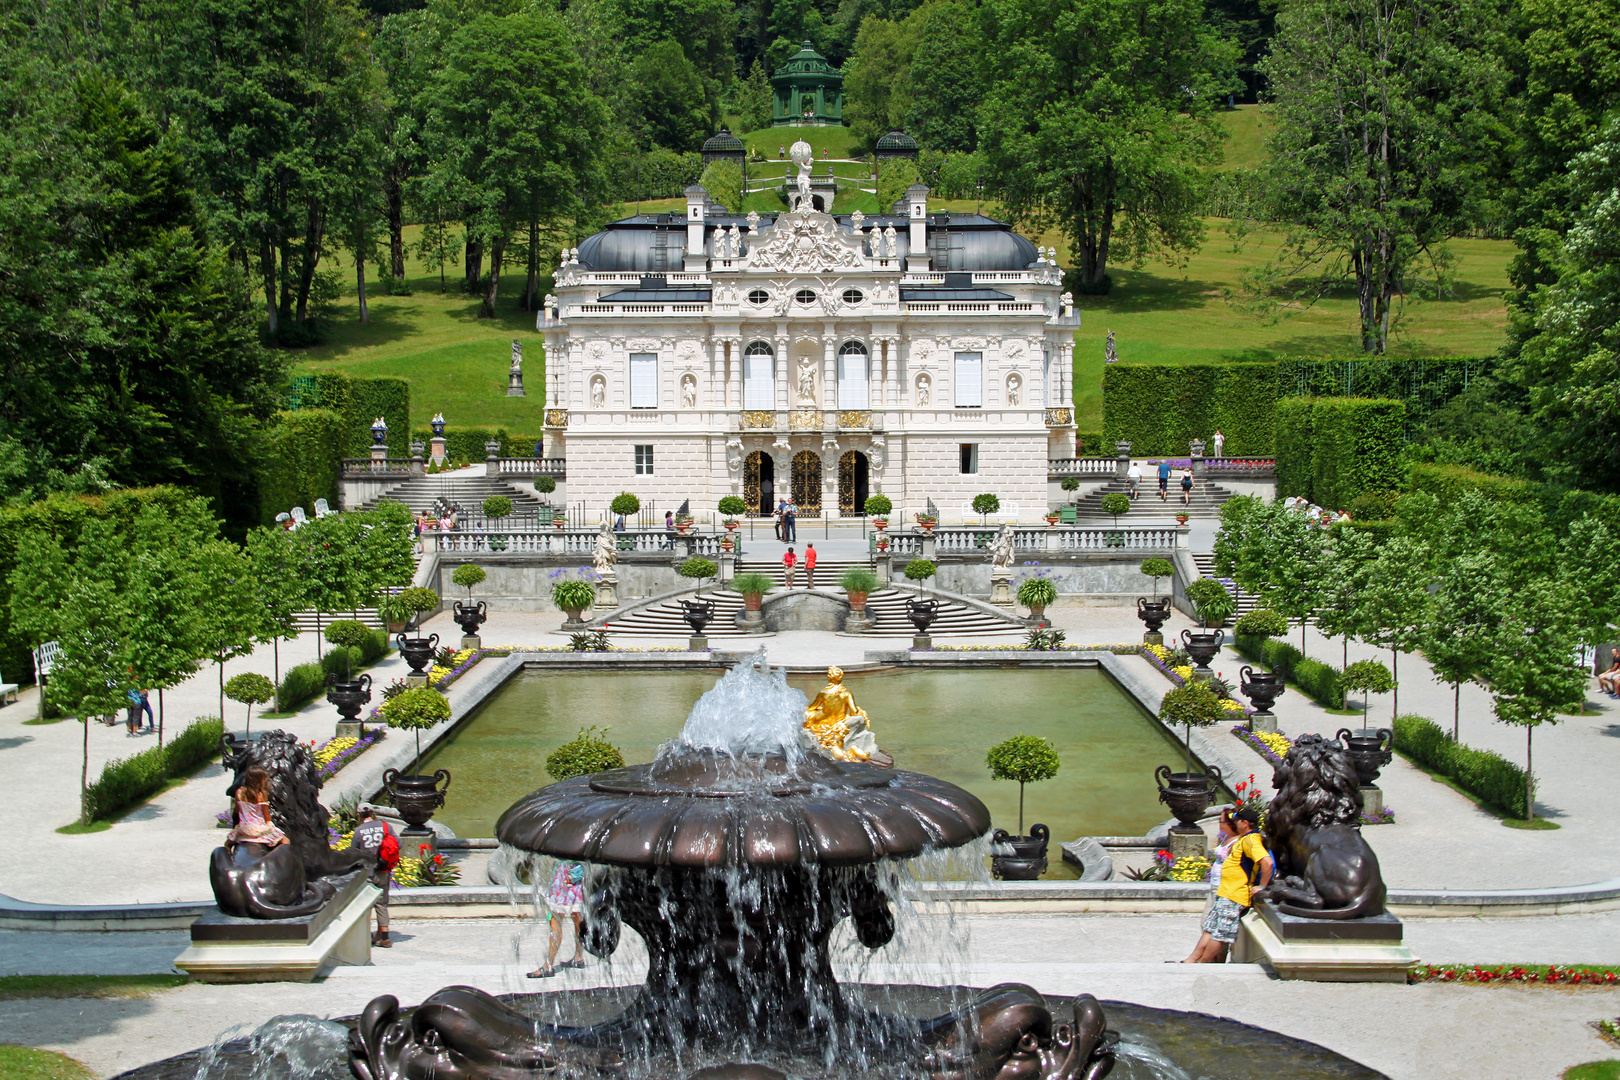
{"x": 936, "y": 723}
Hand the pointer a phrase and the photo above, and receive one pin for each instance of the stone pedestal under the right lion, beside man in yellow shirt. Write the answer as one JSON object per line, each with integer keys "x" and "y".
{"x": 1324, "y": 950}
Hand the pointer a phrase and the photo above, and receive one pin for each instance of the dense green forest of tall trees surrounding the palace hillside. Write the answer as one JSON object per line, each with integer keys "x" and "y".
{"x": 182, "y": 176}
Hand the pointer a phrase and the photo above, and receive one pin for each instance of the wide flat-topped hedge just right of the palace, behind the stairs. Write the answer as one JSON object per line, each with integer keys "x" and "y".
{"x": 1162, "y": 409}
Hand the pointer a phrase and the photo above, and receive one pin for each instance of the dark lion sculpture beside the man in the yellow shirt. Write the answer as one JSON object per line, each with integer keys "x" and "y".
{"x": 1313, "y": 830}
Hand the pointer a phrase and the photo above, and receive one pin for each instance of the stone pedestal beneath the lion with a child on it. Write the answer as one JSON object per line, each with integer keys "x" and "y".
{"x": 228, "y": 950}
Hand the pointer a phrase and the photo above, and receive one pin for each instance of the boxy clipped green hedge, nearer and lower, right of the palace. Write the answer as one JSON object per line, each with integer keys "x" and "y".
{"x": 1334, "y": 449}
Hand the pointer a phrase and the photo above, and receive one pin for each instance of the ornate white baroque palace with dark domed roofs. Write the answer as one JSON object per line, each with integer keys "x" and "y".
{"x": 919, "y": 355}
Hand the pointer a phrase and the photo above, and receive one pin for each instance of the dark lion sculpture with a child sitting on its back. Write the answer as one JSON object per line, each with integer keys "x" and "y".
{"x": 292, "y": 880}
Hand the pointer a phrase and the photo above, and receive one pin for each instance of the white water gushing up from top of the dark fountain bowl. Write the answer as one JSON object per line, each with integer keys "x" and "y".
{"x": 749, "y": 712}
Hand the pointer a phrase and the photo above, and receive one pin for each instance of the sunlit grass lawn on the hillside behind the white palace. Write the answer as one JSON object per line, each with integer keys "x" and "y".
{"x": 1161, "y": 315}
